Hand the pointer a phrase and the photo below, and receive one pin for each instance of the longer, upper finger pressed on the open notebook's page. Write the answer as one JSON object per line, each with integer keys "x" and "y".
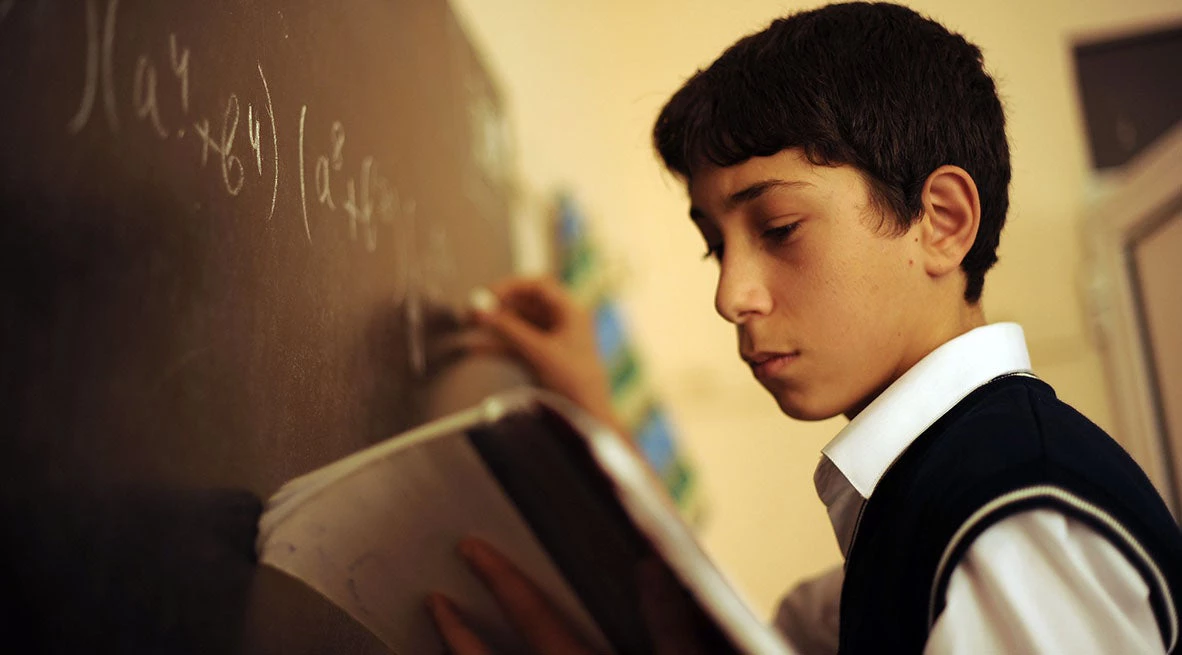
{"x": 525, "y": 606}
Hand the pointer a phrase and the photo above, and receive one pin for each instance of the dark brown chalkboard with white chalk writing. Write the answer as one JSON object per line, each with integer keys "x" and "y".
{"x": 230, "y": 235}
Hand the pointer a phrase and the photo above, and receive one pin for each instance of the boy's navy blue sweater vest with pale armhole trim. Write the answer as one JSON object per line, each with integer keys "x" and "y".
{"x": 1008, "y": 448}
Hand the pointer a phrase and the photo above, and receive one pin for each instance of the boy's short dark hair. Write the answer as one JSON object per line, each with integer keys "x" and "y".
{"x": 873, "y": 86}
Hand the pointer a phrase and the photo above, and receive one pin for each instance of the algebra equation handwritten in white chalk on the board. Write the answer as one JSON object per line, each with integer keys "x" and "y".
{"x": 239, "y": 140}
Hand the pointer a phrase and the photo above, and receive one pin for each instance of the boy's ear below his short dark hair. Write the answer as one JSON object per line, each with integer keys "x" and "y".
{"x": 952, "y": 216}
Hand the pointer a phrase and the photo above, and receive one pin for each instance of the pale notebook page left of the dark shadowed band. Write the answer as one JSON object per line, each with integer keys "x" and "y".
{"x": 379, "y": 537}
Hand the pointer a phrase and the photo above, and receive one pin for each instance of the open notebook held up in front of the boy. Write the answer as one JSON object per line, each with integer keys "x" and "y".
{"x": 563, "y": 497}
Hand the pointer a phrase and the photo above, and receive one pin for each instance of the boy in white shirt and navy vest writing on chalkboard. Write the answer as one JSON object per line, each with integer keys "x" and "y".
{"x": 848, "y": 168}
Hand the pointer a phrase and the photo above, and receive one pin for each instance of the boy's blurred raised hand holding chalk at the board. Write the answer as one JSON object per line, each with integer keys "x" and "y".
{"x": 541, "y": 323}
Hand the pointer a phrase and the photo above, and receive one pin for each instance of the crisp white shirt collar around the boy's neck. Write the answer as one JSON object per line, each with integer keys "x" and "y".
{"x": 867, "y": 448}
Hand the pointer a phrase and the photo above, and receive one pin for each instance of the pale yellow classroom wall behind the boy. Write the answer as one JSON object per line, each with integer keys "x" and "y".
{"x": 583, "y": 83}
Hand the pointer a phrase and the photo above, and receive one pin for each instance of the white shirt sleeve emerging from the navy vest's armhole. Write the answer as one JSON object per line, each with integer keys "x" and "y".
{"x": 1041, "y": 582}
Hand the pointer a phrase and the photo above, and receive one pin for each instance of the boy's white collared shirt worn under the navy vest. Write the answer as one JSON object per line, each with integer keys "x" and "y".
{"x": 1032, "y": 561}
